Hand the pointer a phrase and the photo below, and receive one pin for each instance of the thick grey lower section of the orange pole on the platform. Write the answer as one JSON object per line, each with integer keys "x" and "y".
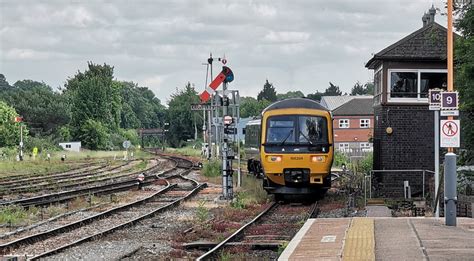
{"x": 450, "y": 193}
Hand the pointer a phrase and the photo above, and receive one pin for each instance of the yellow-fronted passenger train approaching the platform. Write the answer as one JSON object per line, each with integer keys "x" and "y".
{"x": 291, "y": 147}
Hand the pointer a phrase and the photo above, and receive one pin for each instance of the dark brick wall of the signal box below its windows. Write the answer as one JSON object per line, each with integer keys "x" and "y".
{"x": 410, "y": 146}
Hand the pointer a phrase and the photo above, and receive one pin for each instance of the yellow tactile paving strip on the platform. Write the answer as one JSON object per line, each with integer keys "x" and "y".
{"x": 359, "y": 243}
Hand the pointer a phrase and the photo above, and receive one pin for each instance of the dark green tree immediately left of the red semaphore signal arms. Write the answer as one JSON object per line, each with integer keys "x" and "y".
{"x": 180, "y": 117}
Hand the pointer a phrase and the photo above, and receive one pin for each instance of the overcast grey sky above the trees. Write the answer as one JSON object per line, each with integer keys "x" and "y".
{"x": 296, "y": 45}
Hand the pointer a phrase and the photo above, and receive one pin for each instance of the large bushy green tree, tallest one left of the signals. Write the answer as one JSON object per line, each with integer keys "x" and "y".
{"x": 94, "y": 95}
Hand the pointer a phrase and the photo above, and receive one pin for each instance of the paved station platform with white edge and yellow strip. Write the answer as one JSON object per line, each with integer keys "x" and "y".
{"x": 382, "y": 238}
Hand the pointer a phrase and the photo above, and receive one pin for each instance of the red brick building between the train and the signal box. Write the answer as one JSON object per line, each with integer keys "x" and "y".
{"x": 353, "y": 119}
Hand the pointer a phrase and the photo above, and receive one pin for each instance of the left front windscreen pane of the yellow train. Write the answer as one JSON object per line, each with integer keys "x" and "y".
{"x": 281, "y": 129}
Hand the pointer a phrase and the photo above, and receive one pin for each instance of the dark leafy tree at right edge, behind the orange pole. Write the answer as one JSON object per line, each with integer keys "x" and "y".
{"x": 464, "y": 77}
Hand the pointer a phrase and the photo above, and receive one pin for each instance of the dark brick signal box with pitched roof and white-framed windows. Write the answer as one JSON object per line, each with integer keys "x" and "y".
{"x": 404, "y": 126}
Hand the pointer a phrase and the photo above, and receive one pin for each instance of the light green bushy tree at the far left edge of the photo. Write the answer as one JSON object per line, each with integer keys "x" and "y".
{"x": 9, "y": 130}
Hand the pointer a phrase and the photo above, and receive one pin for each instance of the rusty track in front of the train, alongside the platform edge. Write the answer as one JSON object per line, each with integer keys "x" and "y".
{"x": 263, "y": 236}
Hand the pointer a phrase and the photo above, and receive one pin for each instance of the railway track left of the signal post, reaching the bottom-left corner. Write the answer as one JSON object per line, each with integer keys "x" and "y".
{"x": 55, "y": 240}
